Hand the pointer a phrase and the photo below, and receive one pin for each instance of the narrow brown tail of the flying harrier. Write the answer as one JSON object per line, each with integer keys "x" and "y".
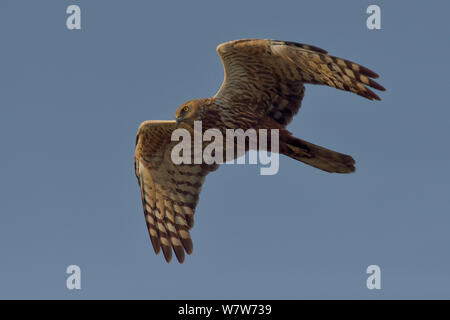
{"x": 316, "y": 156}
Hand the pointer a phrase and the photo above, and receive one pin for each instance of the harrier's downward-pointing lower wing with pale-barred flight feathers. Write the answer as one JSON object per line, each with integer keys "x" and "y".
{"x": 169, "y": 192}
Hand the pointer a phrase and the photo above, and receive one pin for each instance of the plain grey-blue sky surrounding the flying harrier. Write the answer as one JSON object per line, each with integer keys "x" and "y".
{"x": 71, "y": 103}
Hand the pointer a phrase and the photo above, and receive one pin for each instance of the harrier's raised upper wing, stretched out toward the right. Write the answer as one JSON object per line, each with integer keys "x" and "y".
{"x": 271, "y": 74}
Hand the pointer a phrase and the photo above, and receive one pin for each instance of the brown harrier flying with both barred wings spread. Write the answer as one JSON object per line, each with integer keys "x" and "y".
{"x": 262, "y": 89}
